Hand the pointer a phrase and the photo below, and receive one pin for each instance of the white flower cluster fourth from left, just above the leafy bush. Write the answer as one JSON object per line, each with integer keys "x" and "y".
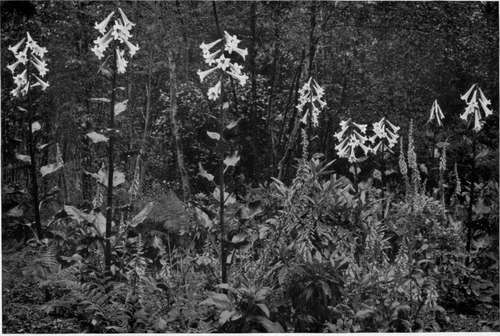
{"x": 311, "y": 93}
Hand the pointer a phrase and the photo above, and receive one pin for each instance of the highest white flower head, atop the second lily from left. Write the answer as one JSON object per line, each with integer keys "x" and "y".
{"x": 120, "y": 32}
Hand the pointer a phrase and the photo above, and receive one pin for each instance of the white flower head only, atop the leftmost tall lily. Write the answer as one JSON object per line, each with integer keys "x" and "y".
{"x": 33, "y": 54}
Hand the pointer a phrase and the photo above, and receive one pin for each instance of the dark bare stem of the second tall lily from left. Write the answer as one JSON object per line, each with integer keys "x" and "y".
{"x": 109, "y": 209}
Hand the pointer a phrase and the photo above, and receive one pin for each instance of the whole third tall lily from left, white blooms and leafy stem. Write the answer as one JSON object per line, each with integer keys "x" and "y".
{"x": 222, "y": 69}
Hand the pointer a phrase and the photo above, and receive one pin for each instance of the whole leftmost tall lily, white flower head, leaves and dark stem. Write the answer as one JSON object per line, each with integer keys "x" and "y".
{"x": 31, "y": 67}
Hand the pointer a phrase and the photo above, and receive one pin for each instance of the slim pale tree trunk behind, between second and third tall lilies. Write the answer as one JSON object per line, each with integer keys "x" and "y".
{"x": 186, "y": 190}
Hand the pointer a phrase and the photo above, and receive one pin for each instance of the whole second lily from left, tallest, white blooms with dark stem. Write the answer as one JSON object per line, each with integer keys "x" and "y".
{"x": 114, "y": 38}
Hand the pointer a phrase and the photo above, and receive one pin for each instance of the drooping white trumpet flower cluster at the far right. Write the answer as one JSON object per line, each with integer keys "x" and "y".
{"x": 474, "y": 106}
